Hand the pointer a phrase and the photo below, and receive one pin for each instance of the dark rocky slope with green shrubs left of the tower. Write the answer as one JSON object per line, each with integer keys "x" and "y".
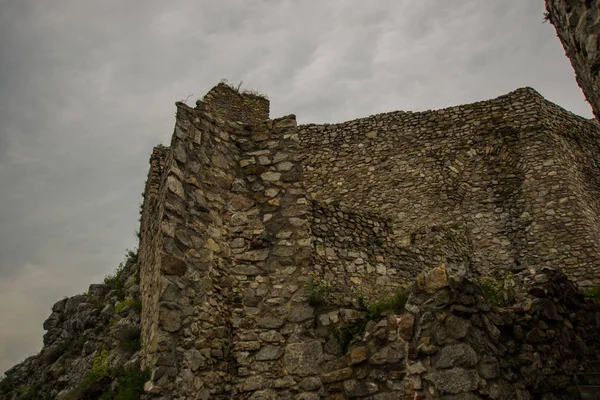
{"x": 91, "y": 346}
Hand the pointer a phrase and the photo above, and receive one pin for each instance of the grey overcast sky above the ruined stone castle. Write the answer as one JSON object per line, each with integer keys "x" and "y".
{"x": 88, "y": 87}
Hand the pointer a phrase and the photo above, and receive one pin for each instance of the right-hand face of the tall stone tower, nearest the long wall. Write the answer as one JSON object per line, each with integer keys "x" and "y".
{"x": 275, "y": 349}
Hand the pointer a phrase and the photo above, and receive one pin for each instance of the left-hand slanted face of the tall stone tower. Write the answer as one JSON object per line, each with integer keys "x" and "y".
{"x": 184, "y": 261}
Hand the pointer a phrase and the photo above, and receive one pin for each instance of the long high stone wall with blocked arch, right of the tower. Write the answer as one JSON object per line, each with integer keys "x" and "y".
{"x": 487, "y": 171}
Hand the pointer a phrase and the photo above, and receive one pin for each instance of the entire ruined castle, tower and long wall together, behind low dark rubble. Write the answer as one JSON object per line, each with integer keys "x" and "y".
{"x": 243, "y": 215}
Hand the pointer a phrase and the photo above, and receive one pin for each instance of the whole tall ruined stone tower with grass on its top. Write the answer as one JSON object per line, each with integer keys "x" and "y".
{"x": 224, "y": 248}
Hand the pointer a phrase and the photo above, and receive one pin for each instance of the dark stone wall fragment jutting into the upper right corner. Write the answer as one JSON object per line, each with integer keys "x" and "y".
{"x": 577, "y": 25}
